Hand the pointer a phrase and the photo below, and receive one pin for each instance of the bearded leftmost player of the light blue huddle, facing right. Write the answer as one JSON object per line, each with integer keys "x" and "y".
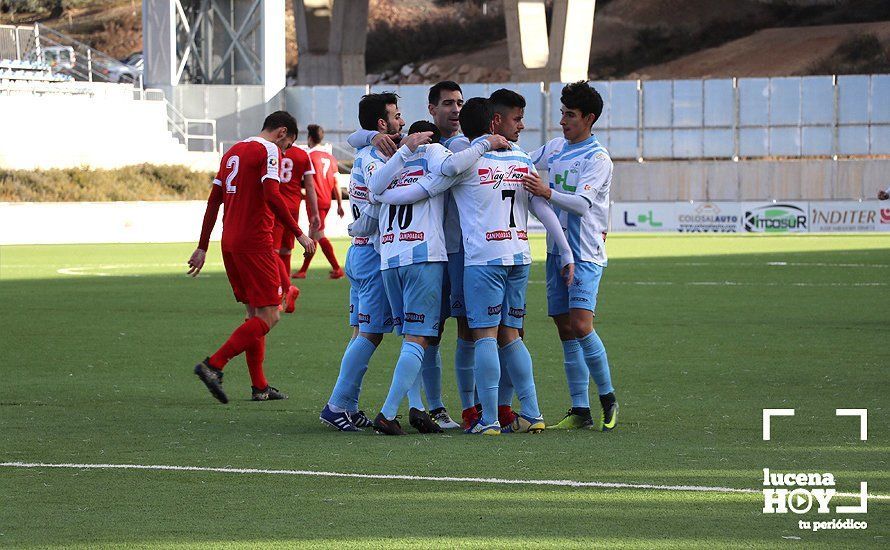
{"x": 369, "y": 310}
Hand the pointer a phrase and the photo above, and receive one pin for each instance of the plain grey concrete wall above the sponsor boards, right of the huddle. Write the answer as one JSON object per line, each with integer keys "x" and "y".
{"x": 810, "y": 179}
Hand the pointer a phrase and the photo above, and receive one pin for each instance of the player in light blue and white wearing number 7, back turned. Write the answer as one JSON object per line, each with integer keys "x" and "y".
{"x": 494, "y": 216}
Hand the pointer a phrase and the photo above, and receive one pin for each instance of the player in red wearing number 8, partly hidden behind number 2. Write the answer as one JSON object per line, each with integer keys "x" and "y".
{"x": 296, "y": 174}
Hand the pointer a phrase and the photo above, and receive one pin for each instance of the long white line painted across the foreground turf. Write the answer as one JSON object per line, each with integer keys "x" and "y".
{"x": 314, "y": 473}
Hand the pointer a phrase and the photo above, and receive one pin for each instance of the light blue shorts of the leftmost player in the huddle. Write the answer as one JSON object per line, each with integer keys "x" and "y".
{"x": 368, "y": 307}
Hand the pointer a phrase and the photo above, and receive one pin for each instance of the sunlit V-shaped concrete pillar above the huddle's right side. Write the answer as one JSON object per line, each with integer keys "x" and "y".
{"x": 561, "y": 56}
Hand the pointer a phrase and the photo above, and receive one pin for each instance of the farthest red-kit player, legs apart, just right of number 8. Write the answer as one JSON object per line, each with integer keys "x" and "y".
{"x": 325, "y": 166}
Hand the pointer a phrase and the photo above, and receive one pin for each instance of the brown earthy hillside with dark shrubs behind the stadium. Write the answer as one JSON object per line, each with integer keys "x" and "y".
{"x": 421, "y": 41}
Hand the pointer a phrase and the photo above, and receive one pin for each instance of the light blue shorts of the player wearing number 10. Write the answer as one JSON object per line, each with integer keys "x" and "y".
{"x": 415, "y": 296}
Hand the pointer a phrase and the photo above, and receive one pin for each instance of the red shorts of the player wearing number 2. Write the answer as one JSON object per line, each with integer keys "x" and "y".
{"x": 255, "y": 277}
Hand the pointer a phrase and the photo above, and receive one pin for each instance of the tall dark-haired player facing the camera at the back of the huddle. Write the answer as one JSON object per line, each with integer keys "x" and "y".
{"x": 445, "y": 101}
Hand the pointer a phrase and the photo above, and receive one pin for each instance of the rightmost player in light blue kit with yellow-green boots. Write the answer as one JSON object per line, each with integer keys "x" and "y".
{"x": 580, "y": 174}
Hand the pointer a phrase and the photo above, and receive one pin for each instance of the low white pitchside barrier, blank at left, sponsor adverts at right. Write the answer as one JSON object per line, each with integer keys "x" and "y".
{"x": 158, "y": 222}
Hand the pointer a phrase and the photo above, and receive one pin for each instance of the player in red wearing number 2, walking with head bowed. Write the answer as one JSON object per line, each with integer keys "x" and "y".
{"x": 248, "y": 185}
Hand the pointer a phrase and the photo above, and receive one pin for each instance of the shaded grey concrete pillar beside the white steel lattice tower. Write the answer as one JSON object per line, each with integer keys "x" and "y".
{"x": 331, "y": 36}
